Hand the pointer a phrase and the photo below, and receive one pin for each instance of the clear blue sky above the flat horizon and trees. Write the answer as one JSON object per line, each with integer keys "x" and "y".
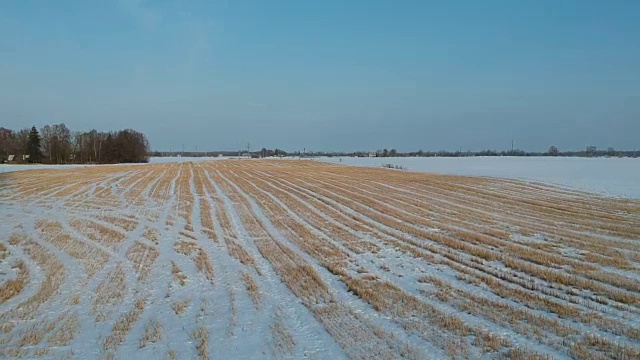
{"x": 328, "y": 75}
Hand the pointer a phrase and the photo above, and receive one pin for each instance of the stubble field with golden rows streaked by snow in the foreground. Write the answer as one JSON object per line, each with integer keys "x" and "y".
{"x": 305, "y": 259}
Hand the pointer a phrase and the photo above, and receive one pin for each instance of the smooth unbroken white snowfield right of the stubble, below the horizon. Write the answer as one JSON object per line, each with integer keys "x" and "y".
{"x": 608, "y": 176}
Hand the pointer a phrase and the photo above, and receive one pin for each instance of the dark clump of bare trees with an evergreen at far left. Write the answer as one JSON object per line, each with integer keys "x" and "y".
{"x": 57, "y": 144}
